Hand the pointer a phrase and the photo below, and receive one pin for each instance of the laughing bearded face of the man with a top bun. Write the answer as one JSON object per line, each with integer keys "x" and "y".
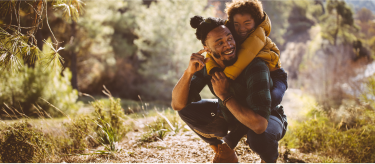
{"x": 221, "y": 44}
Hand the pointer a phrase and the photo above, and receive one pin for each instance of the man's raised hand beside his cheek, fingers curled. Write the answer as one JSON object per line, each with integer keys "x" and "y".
{"x": 197, "y": 62}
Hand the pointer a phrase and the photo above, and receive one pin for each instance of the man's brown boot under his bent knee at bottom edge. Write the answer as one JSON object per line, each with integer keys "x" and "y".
{"x": 224, "y": 154}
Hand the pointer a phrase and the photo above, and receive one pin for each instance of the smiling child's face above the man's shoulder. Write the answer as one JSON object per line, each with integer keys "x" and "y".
{"x": 243, "y": 24}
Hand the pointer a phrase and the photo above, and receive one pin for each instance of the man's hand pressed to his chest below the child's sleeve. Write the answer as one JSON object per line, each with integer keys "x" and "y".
{"x": 220, "y": 85}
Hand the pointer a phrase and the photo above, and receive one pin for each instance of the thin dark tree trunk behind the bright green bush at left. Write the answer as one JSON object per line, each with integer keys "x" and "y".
{"x": 73, "y": 64}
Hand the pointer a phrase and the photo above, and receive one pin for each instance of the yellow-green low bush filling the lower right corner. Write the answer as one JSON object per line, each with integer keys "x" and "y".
{"x": 350, "y": 138}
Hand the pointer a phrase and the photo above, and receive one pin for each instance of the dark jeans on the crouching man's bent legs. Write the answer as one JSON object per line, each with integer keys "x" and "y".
{"x": 204, "y": 118}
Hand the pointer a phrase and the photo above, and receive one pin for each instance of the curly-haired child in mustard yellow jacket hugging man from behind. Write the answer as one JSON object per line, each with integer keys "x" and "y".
{"x": 251, "y": 28}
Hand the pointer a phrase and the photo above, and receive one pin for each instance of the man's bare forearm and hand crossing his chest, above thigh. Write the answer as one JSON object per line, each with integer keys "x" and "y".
{"x": 245, "y": 115}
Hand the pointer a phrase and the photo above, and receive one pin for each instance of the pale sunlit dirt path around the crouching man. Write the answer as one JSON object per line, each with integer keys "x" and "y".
{"x": 187, "y": 147}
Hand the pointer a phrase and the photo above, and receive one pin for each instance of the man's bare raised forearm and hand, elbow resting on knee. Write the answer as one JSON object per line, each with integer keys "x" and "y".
{"x": 180, "y": 93}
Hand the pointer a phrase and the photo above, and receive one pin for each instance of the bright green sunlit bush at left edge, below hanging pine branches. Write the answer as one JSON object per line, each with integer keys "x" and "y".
{"x": 28, "y": 90}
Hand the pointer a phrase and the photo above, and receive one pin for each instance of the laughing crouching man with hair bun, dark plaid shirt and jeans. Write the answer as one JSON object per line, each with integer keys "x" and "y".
{"x": 243, "y": 105}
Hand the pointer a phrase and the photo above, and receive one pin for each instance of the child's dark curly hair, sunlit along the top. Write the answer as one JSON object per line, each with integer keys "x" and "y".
{"x": 252, "y": 7}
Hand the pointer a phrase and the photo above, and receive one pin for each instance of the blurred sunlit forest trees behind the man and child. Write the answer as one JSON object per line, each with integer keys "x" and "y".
{"x": 54, "y": 53}
